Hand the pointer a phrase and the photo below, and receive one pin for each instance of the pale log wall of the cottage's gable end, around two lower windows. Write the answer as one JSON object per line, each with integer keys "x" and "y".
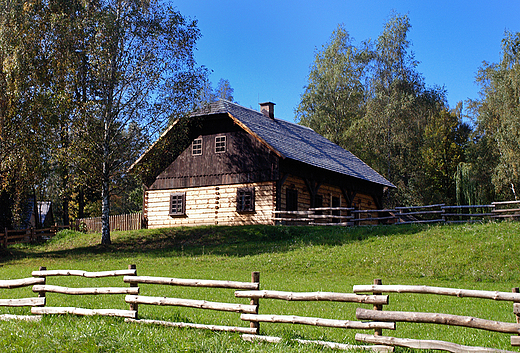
{"x": 210, "y": 205}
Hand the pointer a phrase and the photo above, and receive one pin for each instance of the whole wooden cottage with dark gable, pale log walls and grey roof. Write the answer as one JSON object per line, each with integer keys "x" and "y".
{"x": 230, "y": 165}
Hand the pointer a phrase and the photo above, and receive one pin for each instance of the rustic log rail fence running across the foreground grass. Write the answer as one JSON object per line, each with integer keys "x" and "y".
{"x": 375, "y": 319}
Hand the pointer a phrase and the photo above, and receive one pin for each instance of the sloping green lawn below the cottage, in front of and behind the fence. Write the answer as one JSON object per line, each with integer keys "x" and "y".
{"x": 476, "y": 256}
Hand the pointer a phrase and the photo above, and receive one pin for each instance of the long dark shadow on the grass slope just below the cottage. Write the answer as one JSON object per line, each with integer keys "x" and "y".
{"x": 194, "y": 241}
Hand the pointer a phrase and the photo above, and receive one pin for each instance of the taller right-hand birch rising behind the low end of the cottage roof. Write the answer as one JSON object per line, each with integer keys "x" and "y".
{"x": 398, "y": 109}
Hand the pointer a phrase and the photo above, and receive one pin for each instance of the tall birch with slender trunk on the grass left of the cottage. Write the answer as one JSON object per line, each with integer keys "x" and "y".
{"x": 140, "y": 58}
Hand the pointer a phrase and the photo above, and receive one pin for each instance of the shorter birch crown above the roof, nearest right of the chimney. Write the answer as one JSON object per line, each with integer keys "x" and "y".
{"x": 334, "y": 98}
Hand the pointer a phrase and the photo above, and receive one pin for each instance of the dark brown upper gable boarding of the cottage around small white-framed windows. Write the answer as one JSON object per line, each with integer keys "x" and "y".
{"x": 245, "y": 160}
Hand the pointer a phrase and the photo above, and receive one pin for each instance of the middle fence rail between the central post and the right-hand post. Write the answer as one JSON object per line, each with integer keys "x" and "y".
{"x": 314, "y": 321}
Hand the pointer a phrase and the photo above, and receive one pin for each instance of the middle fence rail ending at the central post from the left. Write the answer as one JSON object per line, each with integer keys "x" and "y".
{"x": 191, "y": 303}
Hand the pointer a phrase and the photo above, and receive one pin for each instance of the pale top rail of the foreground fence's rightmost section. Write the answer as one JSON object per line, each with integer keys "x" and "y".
{"x": 470, "y": 293}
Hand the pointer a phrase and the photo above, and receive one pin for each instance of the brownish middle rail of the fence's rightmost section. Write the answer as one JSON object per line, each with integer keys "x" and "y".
{"x": 436, "y": 318}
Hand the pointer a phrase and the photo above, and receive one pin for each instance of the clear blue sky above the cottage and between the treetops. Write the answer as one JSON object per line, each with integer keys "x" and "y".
{"x": 265, "y": 48}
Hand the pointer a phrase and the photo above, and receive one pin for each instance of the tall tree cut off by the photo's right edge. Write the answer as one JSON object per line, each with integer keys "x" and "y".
{"x": 498, "y": 114}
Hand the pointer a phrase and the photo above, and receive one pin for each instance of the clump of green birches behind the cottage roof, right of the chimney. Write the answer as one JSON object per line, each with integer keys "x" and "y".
{"x": 372, "y": 101}
